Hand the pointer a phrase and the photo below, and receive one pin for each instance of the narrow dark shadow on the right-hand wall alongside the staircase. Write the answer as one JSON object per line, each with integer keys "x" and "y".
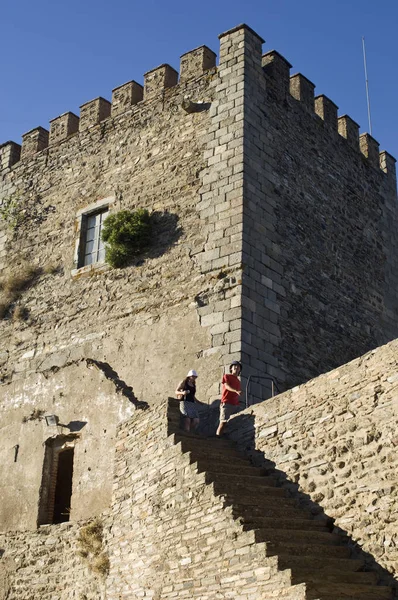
{"x": 242, "y": 431}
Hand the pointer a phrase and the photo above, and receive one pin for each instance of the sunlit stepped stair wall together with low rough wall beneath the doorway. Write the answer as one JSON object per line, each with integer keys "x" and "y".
{"x": 167, "y": 535}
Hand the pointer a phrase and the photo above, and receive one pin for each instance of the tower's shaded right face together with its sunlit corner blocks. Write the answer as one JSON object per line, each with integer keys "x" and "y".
{"x": 300, "y": 224}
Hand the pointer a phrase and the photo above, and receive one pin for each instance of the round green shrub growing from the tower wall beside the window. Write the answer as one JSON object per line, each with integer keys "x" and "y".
{"x": 126, "y": 234}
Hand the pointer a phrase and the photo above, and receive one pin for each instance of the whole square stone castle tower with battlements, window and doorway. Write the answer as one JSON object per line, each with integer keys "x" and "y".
{"x": 274, "y": 242}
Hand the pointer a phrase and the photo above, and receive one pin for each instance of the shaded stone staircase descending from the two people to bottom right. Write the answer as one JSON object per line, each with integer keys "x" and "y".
{"x": 304, "y": 544}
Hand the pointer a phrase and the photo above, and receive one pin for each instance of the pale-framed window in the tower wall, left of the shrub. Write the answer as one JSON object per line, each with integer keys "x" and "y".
{"x": 89, "y": 248}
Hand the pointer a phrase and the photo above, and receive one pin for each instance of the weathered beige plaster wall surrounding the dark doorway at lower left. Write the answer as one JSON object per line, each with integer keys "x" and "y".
{"x": 88, "y": 406}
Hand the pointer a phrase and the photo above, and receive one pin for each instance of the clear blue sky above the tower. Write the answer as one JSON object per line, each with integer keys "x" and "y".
{"x": 56, "y": 56}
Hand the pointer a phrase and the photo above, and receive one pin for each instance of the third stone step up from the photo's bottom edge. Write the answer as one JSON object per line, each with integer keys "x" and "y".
{"x": 319, "y": 564}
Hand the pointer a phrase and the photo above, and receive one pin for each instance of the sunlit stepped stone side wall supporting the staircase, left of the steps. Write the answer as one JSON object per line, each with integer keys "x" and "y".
{"x": 170, "y": 536}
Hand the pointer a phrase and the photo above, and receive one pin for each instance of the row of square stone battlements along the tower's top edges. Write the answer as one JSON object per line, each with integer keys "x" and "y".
{"x": 194, "y": 64}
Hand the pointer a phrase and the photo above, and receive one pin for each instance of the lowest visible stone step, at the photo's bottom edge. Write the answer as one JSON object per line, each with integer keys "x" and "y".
{"x": 348, "y": 591}
